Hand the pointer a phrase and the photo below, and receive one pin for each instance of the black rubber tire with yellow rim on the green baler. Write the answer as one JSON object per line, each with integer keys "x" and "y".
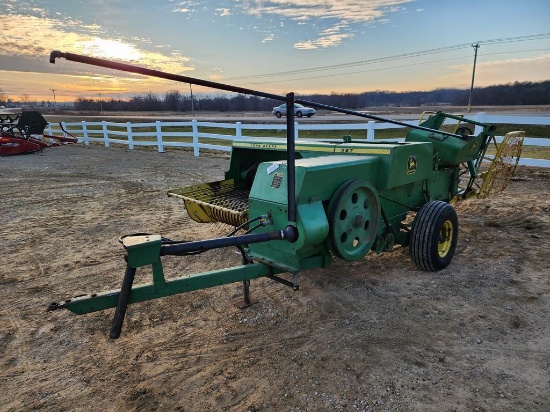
{"x": 431, "y": 224}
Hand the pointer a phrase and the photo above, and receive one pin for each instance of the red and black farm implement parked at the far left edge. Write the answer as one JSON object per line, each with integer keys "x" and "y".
{"x": 24, "y": 133}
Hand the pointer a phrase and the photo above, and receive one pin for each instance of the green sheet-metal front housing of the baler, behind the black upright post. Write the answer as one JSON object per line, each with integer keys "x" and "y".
{"x": 317, "y": 179}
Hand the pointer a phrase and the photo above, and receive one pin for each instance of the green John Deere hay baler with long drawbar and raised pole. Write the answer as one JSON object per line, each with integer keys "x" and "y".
{"x": 300, "y": 203}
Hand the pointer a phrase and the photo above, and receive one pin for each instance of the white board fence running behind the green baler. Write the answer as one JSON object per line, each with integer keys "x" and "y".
{"x": 162, "y": 134}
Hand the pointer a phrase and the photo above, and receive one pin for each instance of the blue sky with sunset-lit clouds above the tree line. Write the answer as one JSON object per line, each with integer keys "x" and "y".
{"x": 277, "y": 46}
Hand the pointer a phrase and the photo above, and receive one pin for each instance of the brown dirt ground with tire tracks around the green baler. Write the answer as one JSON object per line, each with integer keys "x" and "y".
{"x": 373, "y": 335}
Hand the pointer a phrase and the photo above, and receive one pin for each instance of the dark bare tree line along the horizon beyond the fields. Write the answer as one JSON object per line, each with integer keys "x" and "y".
{"x": 517, "y": 93}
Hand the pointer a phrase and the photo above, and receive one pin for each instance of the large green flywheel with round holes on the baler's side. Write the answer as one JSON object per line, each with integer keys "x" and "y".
{"x": 354, "y": 212}
